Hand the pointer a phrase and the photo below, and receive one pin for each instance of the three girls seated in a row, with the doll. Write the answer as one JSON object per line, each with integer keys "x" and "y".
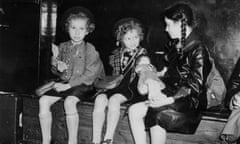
{"x": 157, "y": 96}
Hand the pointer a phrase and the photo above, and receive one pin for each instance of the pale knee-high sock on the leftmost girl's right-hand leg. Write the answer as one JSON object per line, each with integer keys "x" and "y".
{"x": 72, "y": 124}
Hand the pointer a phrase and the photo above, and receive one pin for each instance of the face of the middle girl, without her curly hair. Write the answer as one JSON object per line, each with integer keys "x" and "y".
{"x": 131, "y": 39}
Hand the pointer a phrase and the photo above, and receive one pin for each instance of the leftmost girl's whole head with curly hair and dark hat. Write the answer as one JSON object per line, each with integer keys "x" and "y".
{"x": 78, "y": 22}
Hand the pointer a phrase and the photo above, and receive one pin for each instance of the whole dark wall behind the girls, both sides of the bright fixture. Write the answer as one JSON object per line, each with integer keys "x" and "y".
{"x": 19, "y": 48}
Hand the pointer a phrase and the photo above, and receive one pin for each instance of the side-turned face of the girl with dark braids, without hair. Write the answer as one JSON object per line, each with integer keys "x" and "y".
{"x": 173, "y": 28}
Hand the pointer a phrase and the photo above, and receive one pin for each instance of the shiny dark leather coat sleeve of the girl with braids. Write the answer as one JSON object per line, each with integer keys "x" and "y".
{"x": 193, "y": 73}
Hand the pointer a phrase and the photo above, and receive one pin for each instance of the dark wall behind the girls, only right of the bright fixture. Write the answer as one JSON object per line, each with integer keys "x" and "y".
{"x": 219, "y": 18}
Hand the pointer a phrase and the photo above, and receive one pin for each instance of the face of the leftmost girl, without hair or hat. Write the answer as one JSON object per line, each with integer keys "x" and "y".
{"x": 77, "y": 29}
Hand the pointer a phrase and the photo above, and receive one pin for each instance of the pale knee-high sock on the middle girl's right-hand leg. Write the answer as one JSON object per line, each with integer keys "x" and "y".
{"x": 112, "y": 121}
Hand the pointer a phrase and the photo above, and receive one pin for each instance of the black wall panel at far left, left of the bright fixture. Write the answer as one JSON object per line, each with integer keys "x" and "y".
{"x": 19, "y": 44}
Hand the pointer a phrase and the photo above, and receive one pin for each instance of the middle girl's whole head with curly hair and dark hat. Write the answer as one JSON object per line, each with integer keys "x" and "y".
{"x": 128, "y": 33}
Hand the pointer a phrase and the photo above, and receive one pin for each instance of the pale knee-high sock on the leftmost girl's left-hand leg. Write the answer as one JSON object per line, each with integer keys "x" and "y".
{"x": 46, "y": 123}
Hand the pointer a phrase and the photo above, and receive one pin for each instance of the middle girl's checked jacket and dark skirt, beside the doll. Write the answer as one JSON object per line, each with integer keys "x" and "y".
{"x": 128, "y": 85}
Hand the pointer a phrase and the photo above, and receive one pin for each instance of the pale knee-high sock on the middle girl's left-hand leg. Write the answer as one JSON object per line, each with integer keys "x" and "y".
{"x": 98, "y": 121}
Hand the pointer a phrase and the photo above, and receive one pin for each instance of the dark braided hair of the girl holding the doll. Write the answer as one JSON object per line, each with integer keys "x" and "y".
{"x": 184, "y": 13}
